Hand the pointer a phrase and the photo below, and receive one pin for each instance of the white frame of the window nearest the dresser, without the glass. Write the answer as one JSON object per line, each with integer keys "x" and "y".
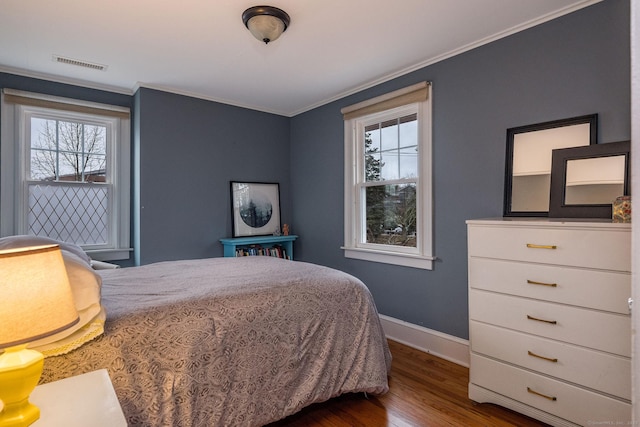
{"x": 355, "y": 245}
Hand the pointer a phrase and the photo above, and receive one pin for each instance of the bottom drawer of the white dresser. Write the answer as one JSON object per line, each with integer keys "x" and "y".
{"x": 564, "y": 400}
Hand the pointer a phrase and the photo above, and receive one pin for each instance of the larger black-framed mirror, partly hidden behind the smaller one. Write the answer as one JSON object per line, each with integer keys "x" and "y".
{"x": 527, "y": 188}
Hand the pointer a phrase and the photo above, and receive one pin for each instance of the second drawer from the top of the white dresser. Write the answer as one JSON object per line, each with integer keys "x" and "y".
{"x": 602, "y": 290}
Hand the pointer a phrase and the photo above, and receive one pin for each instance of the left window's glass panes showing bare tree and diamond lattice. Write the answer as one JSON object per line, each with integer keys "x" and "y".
{"x": 67, "y": 185}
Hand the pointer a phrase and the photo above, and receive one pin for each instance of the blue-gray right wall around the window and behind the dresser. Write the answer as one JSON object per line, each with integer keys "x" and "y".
{"x": 575, "y": 65}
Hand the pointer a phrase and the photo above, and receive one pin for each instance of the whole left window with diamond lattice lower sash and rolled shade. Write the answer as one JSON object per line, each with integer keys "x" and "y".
{"x": 65, "y": 172}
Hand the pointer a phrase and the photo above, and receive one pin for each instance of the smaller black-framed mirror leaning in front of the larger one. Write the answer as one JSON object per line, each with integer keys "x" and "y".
{"x": 586, "y": 180}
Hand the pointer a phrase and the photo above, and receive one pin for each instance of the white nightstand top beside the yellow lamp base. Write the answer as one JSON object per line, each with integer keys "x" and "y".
{"x": 84, "y": 400}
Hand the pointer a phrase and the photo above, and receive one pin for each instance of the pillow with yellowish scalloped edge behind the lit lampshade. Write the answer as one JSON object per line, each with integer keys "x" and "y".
{"x": 85, "y": 286}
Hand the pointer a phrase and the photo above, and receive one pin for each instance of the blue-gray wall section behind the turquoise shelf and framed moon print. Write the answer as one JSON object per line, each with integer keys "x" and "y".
{"x": 188, "y": 151}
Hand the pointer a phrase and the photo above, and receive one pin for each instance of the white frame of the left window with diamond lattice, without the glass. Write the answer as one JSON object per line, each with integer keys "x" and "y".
{"x": 14, "y": 164}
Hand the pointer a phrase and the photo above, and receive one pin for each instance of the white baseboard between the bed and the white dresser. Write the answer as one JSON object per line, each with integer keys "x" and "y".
{"x": 448, "y": 347}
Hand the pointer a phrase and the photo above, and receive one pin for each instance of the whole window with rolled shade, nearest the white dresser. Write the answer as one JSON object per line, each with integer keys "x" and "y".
{"x": 388, "y": 198}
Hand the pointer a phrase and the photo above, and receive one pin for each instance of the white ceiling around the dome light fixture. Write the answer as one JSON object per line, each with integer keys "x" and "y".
{"x": 201, "y": 48}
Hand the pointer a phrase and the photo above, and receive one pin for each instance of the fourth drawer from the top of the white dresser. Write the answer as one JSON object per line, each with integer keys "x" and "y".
{"x": 594, "y": 369}
